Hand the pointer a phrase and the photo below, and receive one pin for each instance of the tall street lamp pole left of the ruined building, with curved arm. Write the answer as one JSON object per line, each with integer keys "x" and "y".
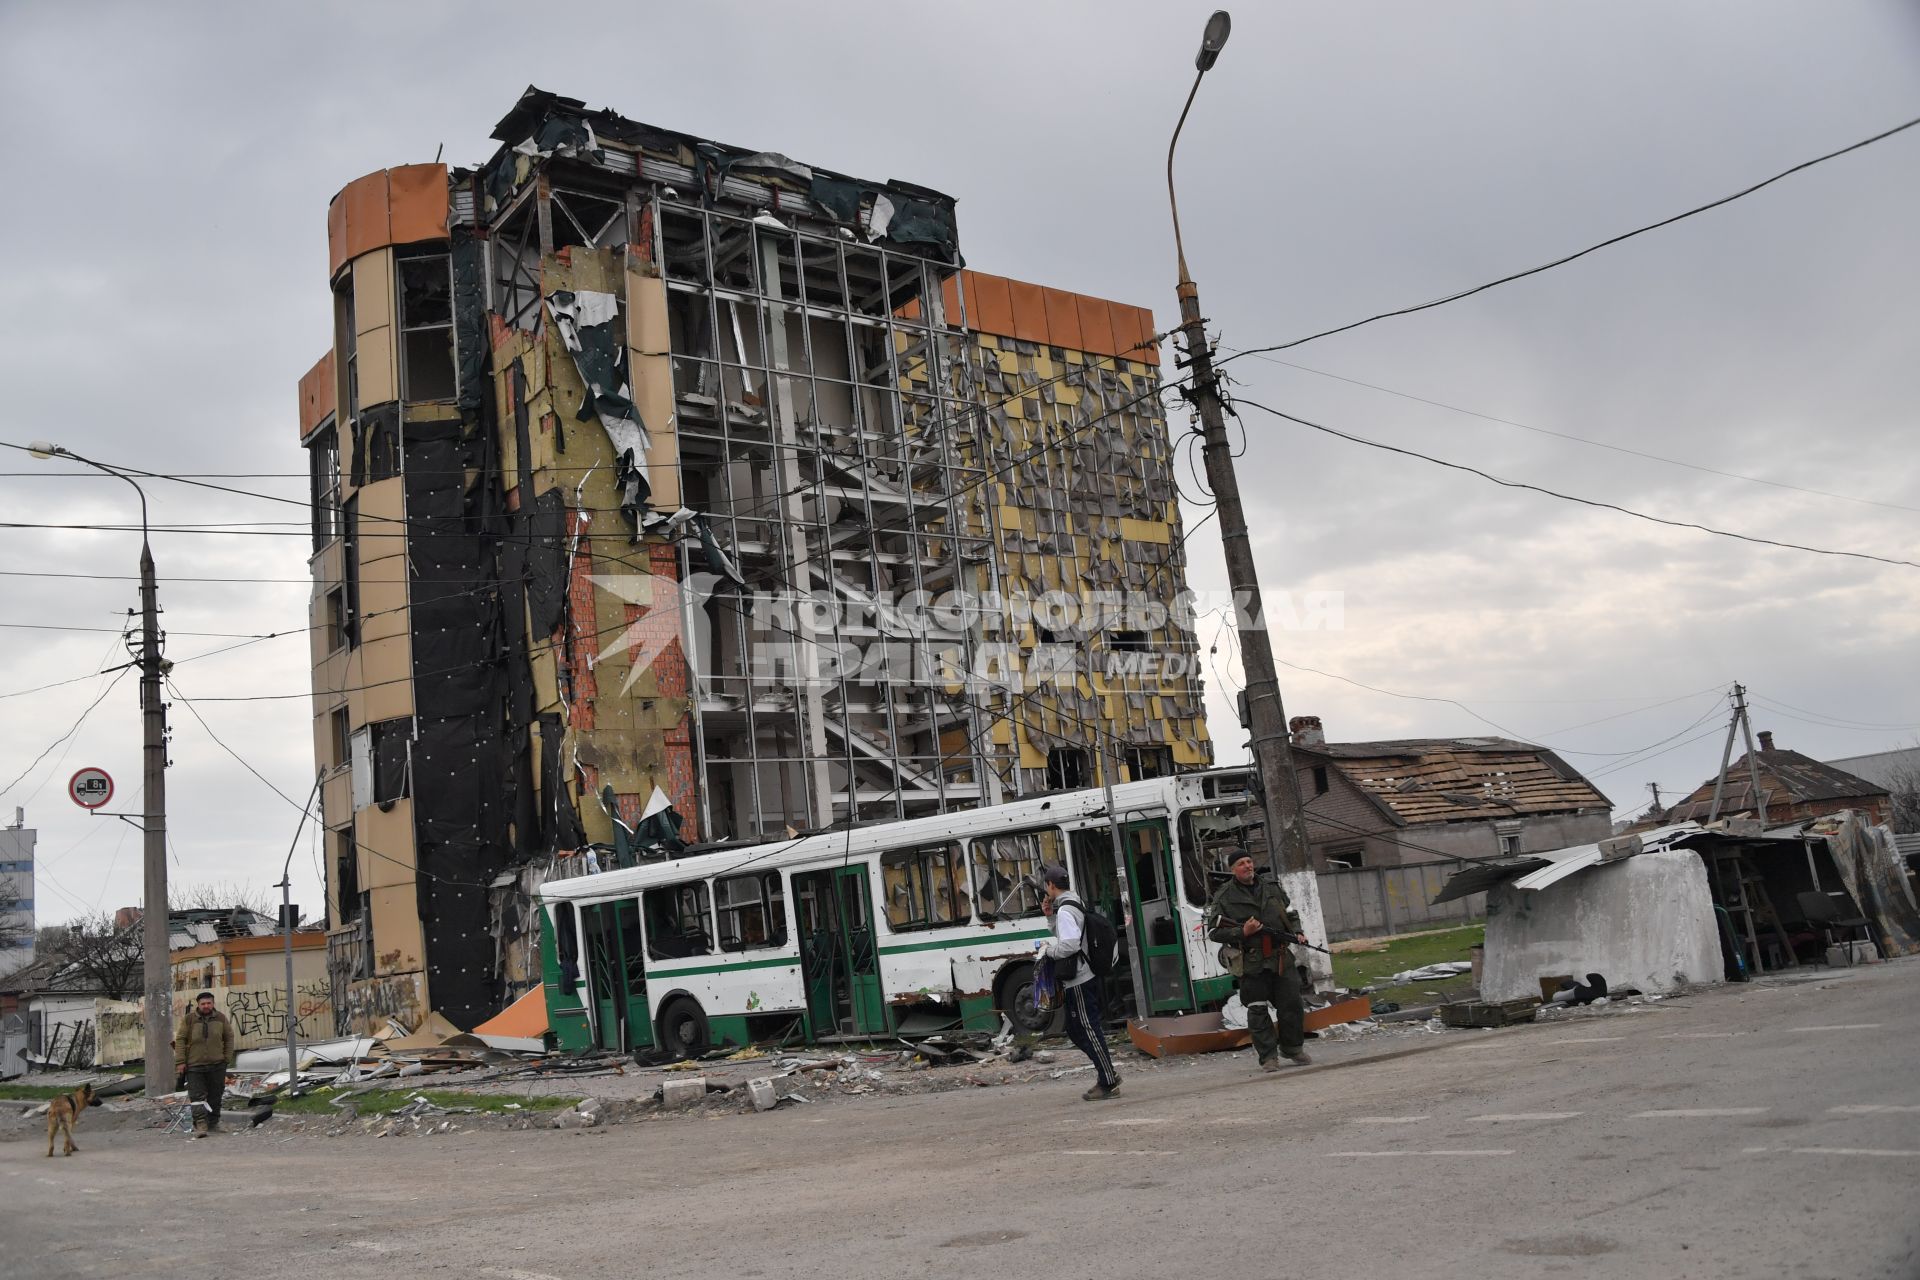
{"x": 158, "y": 972}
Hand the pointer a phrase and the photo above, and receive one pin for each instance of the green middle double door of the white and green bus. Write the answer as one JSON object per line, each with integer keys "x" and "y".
{"x": 838, "y": 953}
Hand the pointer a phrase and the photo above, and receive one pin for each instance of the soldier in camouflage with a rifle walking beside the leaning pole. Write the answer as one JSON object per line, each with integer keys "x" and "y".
{"x": 1255, "y": 922}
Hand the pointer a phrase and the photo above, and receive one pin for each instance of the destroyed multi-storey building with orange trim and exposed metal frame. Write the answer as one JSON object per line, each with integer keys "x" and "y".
{"x": 669, "y": 492}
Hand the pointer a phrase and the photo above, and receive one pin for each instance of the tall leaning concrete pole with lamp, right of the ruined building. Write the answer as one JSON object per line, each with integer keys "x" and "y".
{"x": 1287, "y": 840}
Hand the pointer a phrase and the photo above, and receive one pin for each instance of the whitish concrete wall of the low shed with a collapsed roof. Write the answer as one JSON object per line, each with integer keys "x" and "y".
{"x": 1643, "y": 922}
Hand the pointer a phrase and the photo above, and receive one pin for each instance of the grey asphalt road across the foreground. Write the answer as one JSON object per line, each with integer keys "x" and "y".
{"x": 1752, "y": 1131}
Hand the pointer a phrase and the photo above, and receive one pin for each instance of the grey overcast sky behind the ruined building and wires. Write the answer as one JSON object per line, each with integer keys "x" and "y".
{"x": 170, "y": 183}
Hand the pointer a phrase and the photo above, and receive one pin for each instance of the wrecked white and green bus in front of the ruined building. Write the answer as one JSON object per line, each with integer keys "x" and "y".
{"x": 911, "y": 924}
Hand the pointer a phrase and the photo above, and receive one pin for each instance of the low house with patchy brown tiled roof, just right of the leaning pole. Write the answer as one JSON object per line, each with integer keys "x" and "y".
{"x": 1399, "y": 801}
